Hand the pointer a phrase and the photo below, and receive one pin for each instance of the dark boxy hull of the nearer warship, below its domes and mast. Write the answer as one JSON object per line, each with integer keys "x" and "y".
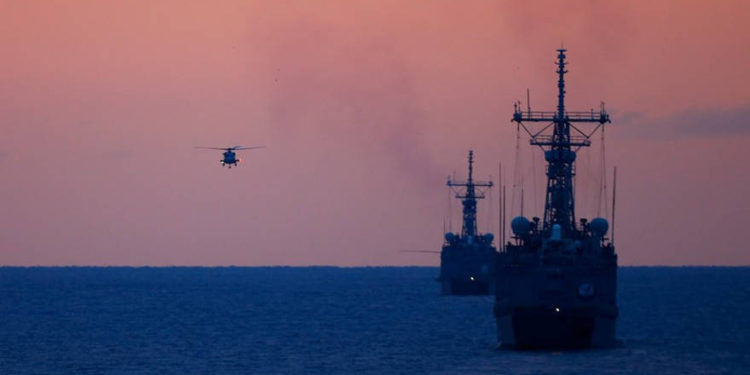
{"x": 555, "y": 303}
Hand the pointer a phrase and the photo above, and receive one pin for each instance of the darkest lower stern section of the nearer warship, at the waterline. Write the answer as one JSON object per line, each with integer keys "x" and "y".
{"x": 546, "y": 328}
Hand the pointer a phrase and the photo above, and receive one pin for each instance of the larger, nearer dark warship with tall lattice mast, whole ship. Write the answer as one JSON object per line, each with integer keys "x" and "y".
{"x": 556, "y": 279}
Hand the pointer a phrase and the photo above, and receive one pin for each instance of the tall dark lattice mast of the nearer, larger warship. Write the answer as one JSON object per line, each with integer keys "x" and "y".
{"x": 560, "y": 151}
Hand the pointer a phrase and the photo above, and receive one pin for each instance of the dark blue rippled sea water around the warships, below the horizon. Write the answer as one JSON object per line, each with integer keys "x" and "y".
{"x": 344, "y": 321}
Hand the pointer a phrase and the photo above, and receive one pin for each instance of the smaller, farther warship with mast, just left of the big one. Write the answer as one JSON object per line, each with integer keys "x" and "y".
{"x": 467, "y": 260}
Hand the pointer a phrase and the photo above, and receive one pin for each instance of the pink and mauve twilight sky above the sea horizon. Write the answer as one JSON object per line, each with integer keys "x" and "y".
{"x": 364, "y": 109}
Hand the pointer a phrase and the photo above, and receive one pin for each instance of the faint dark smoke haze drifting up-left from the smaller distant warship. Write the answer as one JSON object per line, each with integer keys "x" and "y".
{"x": 360, "y": 92}
